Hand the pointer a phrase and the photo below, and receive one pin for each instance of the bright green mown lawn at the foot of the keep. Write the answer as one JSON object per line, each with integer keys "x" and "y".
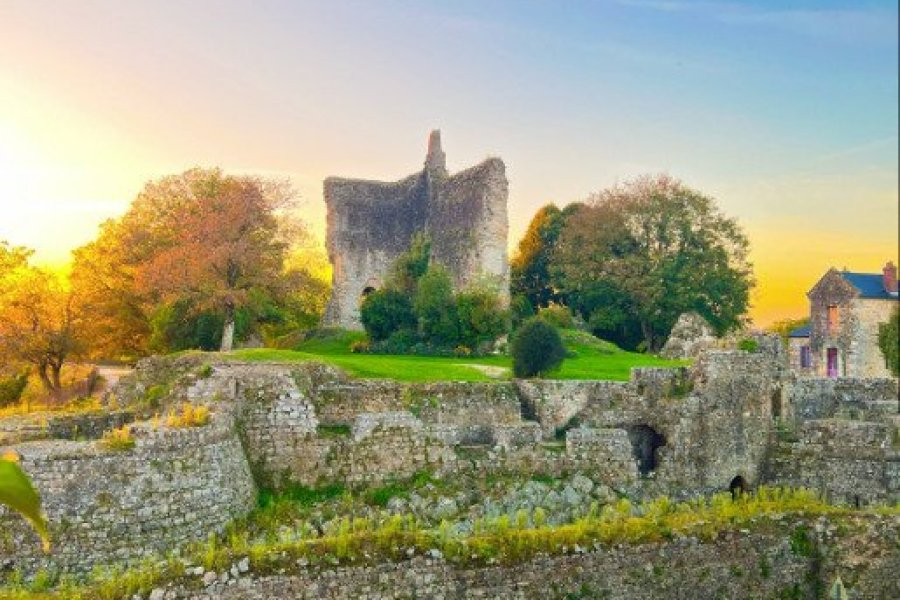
{"x": 593, "y": 359}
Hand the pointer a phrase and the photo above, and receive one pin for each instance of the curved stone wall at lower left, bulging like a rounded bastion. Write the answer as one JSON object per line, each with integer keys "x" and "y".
{"x": 105, "y": 506}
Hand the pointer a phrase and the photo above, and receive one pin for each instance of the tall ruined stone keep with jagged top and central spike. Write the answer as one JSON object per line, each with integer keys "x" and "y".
{"x": 371, "y": 222}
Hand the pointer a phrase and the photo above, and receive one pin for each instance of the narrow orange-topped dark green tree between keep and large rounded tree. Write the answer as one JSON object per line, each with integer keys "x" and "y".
{"x": 530, "y": 267}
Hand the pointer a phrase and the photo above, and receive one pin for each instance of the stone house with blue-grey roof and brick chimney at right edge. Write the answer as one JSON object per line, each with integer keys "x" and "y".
{"x": 846, "y": 309}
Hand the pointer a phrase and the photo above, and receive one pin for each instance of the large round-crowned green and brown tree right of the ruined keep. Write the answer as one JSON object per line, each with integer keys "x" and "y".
{"x": 641, "y": 254}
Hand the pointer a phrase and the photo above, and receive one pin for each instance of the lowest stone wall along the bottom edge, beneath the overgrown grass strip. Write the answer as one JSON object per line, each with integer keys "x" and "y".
{"x": 734, "y": 566}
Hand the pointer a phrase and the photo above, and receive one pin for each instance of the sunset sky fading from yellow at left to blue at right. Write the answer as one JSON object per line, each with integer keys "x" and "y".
{"x": 785, "y": 112}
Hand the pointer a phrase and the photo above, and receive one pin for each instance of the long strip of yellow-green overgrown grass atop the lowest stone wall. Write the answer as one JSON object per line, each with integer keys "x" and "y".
{"x": 501, "y": 540}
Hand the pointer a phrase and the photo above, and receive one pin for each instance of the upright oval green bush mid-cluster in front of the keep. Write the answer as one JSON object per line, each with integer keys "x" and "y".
{"x": 435, "y": 307}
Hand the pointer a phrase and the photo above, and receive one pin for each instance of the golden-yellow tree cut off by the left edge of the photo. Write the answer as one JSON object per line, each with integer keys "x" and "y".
{"x": 39, "y": 319}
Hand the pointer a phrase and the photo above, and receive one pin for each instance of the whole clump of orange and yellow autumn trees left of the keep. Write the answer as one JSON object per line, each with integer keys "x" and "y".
{"x": 197, "y": 250}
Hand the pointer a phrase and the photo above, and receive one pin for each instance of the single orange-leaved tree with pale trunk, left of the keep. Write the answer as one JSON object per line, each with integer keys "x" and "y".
{"x": 216, "y": 239}
